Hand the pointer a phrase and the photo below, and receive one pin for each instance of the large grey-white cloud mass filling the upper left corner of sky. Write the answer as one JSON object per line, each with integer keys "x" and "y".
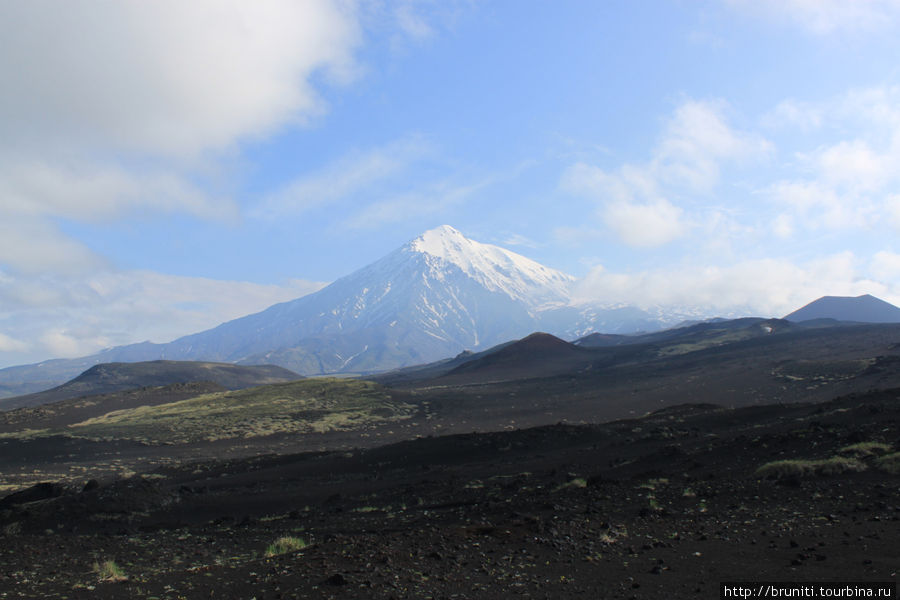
{"x": 115, "y": 109}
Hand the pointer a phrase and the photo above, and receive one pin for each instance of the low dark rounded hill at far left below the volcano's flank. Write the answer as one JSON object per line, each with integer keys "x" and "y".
{"x": 108, "y": 378}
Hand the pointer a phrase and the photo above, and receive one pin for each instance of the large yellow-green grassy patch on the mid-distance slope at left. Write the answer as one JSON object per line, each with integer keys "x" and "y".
{"x": 309, "y": 405}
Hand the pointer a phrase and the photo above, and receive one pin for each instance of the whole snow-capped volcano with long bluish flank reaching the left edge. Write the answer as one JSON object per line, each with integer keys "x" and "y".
{"x": 433, "y": 297}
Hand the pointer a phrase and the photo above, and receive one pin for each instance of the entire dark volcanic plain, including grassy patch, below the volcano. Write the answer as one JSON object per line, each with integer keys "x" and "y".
{"x": 744, "y": 450}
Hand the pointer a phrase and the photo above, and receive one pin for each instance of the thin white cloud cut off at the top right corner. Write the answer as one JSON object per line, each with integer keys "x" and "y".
{"x": 827, "y": 16}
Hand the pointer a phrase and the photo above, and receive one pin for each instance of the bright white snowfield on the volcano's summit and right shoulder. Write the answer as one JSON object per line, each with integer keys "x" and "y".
{"x": 497, "y": 269}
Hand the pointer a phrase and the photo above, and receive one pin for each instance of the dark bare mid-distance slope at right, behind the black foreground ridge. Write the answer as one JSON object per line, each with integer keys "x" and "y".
{"x": 799, "y": 364}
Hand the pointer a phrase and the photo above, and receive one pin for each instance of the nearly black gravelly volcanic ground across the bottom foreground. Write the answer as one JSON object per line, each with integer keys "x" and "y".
{"x": 665, "y": 506}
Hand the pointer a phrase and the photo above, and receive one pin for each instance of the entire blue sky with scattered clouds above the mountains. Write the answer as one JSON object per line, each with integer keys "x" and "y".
{"x": 167, "y": 166}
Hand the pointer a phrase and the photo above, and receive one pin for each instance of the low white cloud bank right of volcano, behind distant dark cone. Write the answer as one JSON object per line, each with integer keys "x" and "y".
{"x": 763, "y": 287}
